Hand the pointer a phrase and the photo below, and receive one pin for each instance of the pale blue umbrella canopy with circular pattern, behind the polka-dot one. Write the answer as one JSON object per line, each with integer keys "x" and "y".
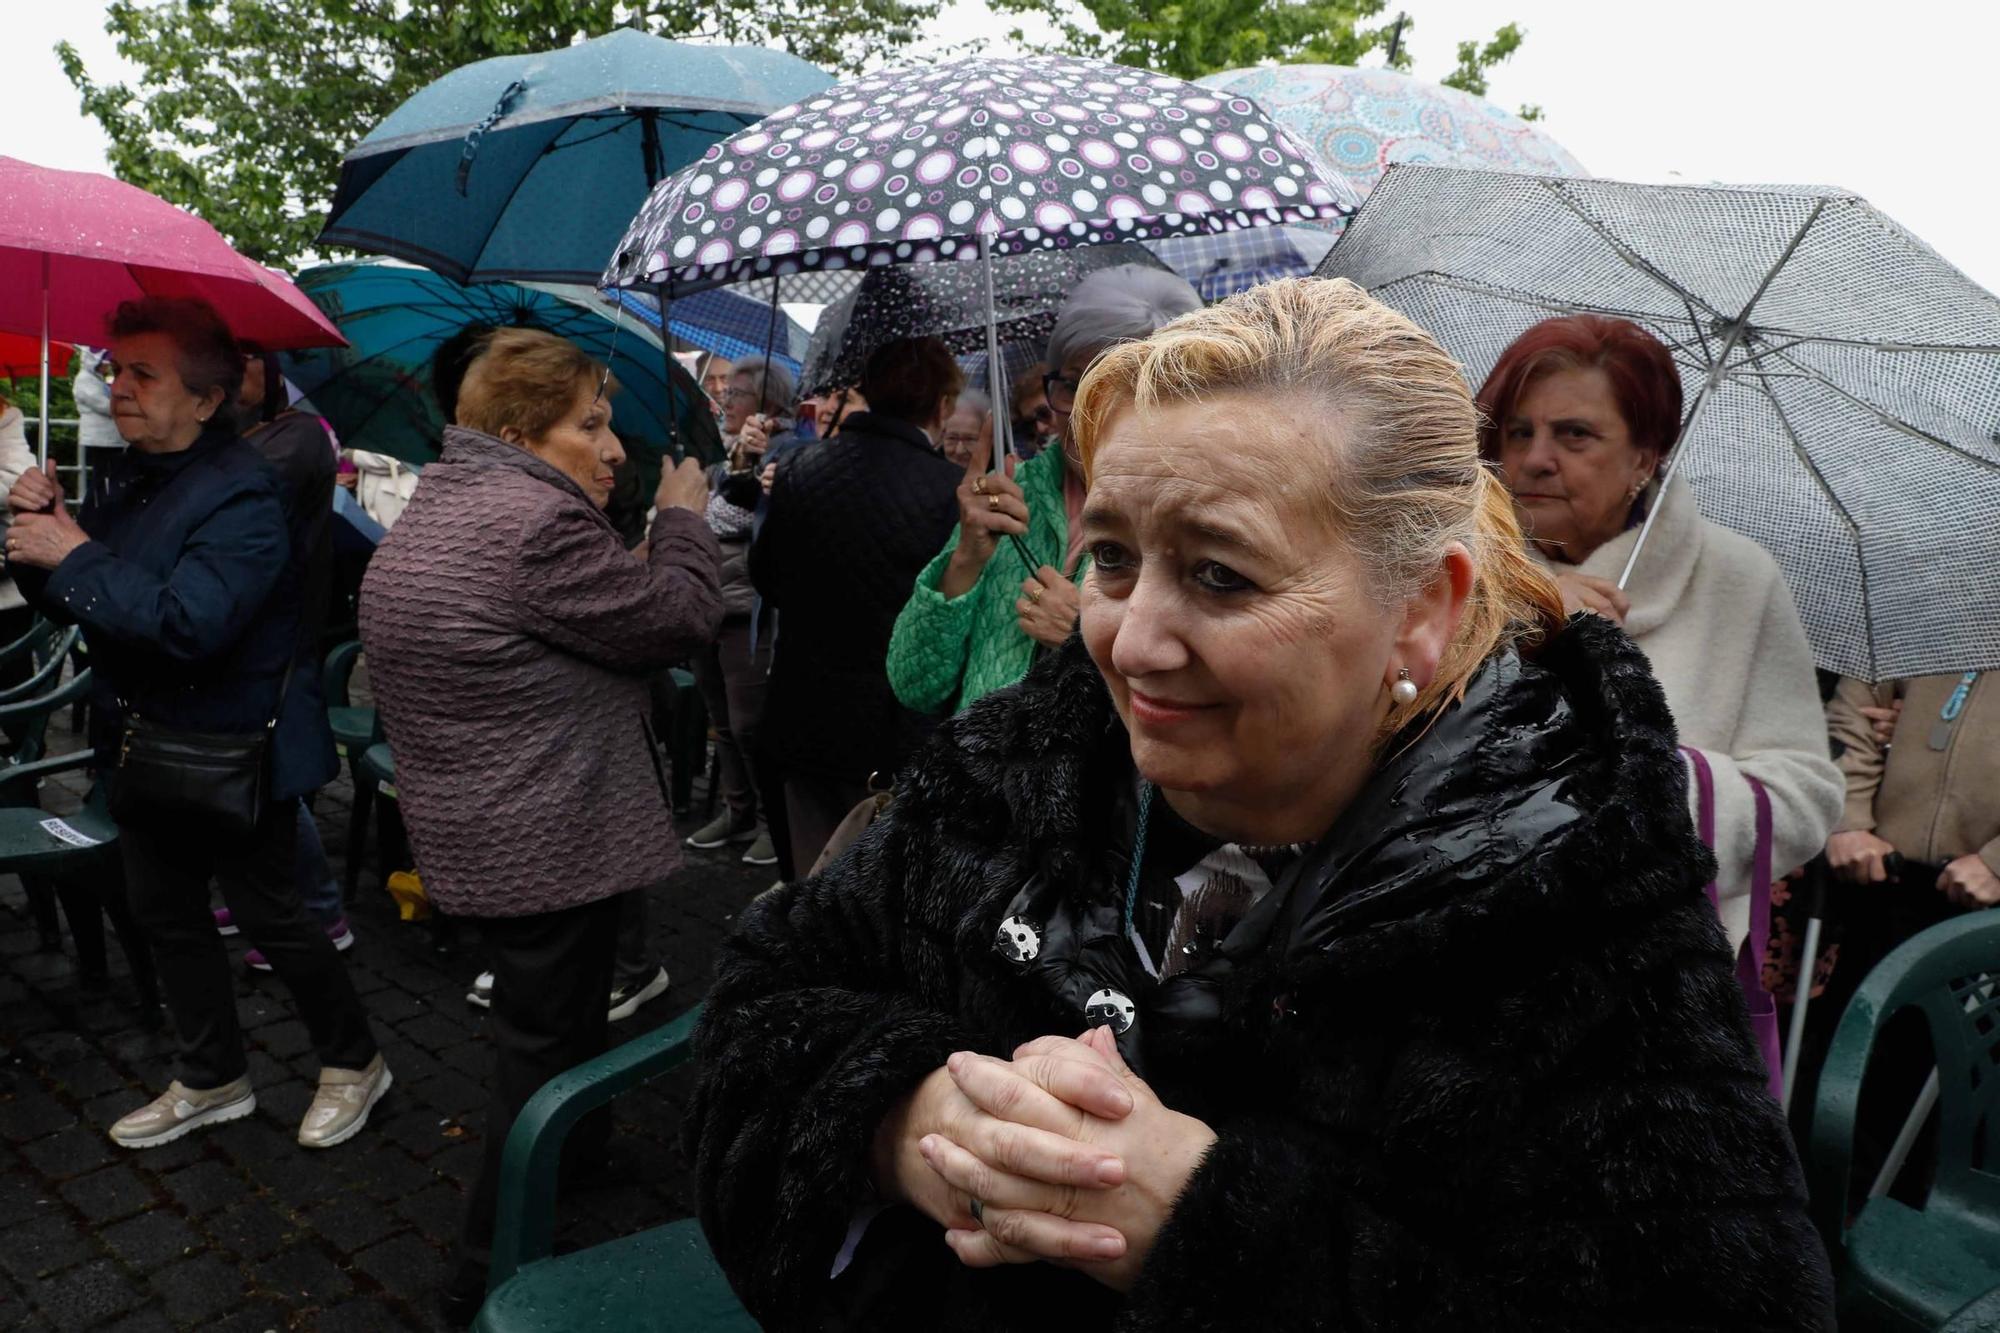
{"x": 1363, "y": 121}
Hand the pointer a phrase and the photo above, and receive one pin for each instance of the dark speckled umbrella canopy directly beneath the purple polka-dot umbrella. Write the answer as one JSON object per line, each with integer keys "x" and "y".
{"x": 949, "y": 301}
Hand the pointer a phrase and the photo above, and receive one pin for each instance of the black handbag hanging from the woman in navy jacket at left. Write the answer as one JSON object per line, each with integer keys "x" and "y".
{"x": 215, "y": 782}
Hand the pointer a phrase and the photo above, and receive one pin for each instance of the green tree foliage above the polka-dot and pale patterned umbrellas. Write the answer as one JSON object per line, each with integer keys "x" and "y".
{"x": 1189, "y": 39}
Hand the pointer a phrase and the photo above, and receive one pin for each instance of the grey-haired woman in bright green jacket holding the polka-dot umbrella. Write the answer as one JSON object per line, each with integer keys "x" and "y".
{"x": 979, "y": 611}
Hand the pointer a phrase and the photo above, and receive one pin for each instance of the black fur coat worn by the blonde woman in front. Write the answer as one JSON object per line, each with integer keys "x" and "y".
{"x": 1477, "y": 1064}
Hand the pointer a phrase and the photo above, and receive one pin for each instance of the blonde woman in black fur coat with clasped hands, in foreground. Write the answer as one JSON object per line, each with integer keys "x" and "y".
{"x": 1315, "y": 944}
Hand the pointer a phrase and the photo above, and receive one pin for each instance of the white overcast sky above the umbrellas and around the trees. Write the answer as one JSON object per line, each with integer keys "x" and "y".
{"x": 1889, "y": 99}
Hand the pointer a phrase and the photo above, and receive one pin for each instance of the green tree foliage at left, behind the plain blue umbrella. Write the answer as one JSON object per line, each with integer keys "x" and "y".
{"x": 243, "y": 109}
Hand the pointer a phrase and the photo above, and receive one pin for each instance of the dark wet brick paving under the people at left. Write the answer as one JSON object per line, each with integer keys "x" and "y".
{"x": 237, "y": 1228}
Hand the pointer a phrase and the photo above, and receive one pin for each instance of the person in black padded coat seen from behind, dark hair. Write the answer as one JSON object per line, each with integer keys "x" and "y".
{"x": 851, "y": 521}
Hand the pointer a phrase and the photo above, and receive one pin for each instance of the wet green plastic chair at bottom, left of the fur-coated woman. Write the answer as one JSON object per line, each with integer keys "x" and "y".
{"x": 657, "y": 1280}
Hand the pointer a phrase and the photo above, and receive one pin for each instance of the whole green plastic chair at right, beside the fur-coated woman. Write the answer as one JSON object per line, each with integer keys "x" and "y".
{"x": 1901, "y": 1268}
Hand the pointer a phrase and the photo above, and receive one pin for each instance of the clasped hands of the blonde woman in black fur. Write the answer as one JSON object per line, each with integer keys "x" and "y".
{"x": 1061, "y": 1156}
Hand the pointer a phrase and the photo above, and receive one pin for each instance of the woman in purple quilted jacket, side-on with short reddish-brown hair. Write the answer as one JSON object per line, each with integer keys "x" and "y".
{"x": 509, "y": 641}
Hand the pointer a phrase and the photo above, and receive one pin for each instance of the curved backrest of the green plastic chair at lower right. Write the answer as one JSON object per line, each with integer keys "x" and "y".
{"x": 1953, "y": 976}
